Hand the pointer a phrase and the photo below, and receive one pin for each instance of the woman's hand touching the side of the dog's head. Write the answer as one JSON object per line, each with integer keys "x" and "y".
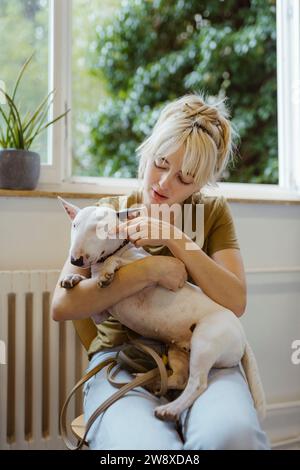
{"x": 145, "y": 230}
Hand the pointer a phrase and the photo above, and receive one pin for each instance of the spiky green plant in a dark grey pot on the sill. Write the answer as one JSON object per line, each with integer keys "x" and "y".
{"x": 19, "y": 166}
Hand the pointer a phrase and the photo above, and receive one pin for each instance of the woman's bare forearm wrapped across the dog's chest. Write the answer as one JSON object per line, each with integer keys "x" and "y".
{"x": 86, "y": 298}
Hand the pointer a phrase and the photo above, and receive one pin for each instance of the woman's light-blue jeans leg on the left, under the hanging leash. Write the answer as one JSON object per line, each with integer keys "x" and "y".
{"x": 130, "y": 422}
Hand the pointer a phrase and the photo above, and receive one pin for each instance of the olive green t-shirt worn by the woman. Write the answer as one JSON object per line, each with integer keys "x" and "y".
{"x": 218, "y": 234}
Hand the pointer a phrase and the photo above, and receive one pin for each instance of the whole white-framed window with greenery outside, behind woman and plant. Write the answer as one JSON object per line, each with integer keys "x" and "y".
{"x": 116, "y": 63}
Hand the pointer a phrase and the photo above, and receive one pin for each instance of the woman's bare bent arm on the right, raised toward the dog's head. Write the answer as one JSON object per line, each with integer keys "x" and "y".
{"x": 221, "y": 277}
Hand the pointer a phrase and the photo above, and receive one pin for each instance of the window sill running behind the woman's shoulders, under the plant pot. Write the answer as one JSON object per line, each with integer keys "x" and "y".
{"x": 234, "y": 192}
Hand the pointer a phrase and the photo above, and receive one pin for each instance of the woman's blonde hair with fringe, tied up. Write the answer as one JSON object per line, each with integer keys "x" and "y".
{"x": 204, "y": 129}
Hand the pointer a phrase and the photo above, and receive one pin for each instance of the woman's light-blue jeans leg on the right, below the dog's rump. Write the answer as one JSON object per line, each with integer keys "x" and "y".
{"x": 223, "y": 417}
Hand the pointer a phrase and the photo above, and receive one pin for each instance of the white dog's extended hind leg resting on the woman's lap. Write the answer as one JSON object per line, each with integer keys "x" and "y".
{"x": 204, "y": 353}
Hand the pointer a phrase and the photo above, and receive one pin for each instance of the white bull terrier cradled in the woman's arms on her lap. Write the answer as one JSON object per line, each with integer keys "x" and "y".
{"x": 200, "y": 333}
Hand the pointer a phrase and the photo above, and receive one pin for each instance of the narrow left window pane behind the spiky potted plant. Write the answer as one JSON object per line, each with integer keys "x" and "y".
{"x": 24, "y": 29}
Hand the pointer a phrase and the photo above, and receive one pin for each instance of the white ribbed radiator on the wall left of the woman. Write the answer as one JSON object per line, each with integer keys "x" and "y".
{"x": 44, "y": 359}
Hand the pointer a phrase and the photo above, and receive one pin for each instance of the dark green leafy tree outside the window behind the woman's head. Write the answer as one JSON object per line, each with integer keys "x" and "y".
{"x": 152, "y": 52}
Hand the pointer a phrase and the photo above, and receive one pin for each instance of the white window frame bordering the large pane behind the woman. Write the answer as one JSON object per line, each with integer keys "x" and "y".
{"x": 58, "y": 174}
